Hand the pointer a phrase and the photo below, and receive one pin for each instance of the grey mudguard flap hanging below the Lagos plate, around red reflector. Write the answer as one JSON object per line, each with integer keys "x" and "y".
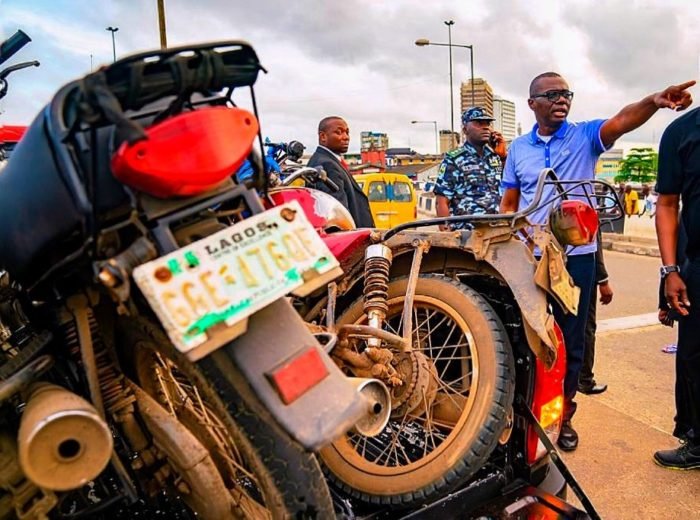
{"x": 275, "y": 337}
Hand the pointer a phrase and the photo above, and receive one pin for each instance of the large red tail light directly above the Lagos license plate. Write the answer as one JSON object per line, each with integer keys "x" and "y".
{"x": 187, "y": 154}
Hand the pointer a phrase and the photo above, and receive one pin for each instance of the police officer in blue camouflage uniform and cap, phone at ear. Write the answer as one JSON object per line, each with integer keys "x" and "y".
{"x": 470, "y": 176}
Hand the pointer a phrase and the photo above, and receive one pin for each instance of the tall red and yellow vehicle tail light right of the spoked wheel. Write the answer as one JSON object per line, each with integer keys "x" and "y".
{"x": 548, "y": 401}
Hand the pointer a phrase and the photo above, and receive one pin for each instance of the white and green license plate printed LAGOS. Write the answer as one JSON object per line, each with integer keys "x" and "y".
{"x": 203, "y": 292}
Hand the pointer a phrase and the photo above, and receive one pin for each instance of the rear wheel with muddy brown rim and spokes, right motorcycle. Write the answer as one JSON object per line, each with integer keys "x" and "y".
{"x": 476, "y": 375}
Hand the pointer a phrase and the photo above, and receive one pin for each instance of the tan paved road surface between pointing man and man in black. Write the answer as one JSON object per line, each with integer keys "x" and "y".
{"x": 620, "y": 429}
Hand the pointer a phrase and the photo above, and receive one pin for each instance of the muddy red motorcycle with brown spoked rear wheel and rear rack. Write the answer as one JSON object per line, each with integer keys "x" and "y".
{"x": 440, "y": 318}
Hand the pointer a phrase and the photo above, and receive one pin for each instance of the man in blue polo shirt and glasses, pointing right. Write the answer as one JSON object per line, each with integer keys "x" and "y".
{"x": 572, "y": 150}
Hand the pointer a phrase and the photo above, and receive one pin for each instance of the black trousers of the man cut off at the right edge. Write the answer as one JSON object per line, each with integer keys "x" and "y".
{"x": 688, "y": 358}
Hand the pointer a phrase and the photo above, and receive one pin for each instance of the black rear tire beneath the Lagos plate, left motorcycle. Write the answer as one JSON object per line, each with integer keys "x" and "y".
{"x": 288, "y": 479}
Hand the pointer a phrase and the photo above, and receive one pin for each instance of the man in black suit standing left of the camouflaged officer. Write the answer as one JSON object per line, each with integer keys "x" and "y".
{"x": 333, "y": 140}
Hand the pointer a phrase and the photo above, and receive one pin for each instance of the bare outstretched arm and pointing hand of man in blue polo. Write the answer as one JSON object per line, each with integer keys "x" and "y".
{"x": 675, "y": 97}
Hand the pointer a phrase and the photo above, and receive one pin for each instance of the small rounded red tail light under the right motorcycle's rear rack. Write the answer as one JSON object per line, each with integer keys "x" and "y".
{"x": 574, "y": 223}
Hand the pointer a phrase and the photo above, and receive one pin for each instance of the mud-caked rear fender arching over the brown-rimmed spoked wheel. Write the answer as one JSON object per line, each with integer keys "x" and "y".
{"x": 502, "y": 256}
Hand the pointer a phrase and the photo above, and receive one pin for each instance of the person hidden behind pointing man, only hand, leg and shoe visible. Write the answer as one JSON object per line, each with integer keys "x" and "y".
{"x": 586, "y": 379}
